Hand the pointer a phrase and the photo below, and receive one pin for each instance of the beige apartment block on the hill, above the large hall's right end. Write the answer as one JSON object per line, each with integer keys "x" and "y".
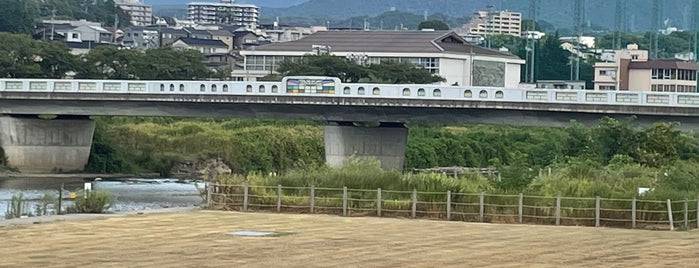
{"x": 495, "y": 22}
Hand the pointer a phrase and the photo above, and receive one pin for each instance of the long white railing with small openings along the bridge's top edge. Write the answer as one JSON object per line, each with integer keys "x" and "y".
{"x": 411, "y": 91}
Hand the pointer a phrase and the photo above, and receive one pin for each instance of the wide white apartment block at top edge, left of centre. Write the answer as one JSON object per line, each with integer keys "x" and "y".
{"x": 226, "y": 12}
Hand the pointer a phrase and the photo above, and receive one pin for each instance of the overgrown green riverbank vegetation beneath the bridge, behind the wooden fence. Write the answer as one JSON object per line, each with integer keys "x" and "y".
{"x": 611, "y": 159}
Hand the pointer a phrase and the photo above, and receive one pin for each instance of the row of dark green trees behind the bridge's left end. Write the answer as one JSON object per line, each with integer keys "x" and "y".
{"x": 23, "y": 57}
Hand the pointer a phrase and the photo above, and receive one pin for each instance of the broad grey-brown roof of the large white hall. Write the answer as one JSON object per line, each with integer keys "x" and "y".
{"x": 386, "y": 42}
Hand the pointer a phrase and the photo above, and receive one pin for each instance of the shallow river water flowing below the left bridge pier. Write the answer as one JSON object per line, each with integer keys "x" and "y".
{"x": 130, "y": 194}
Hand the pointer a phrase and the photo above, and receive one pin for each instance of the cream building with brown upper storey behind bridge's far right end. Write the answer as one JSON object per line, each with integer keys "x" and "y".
{"x": 633, "y": 70}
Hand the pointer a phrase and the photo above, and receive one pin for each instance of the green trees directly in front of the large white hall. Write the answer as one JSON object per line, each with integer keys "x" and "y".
{"x": 350, "y": 71}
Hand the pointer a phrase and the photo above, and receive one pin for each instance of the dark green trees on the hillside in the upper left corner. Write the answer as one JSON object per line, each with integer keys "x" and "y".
{"x": 17, "y": 16}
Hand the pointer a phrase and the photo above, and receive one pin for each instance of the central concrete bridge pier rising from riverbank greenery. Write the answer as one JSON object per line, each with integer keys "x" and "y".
{"x": 385, "y": 142}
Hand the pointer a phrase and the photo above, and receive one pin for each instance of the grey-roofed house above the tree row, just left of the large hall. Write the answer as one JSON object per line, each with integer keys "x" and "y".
{"x": 215, "y": 51}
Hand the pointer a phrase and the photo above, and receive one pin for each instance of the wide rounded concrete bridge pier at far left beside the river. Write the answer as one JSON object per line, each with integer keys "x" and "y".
{"x": 35, "y": 145}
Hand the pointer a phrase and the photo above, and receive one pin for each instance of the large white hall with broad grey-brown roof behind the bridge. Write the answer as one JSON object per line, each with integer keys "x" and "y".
{"x": 443, "y": 53}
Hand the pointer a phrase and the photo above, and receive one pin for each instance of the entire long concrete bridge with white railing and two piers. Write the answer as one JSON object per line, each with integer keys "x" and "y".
{"x": 63, "y": 144}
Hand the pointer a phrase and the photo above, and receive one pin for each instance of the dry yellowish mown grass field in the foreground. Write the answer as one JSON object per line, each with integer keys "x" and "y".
{"x": 200, "y": 239}
